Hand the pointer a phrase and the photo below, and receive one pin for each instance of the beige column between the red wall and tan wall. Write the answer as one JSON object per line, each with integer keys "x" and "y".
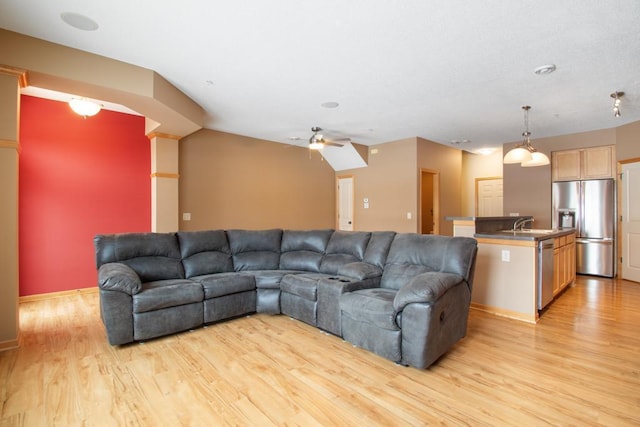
{"x": 164, "y": 182}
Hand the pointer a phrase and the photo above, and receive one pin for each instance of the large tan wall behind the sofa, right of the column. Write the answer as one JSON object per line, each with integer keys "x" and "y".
{"x": 232, "y": 181}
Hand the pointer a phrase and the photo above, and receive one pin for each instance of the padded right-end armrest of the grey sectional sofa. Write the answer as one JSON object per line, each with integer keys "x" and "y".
{"x": 425, "y": 288}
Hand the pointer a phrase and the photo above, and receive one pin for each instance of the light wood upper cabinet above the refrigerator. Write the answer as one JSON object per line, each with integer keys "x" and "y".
{"x": 584, "y": 163}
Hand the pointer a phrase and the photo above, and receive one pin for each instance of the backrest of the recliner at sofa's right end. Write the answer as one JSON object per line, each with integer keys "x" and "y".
{"x": 412, "y": 254}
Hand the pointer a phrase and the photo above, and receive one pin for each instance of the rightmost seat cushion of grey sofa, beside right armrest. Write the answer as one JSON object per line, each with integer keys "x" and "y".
{"x": 373, "y": 306}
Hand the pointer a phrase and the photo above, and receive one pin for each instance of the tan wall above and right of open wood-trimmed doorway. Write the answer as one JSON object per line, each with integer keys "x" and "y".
{"x": 447, "y": 162}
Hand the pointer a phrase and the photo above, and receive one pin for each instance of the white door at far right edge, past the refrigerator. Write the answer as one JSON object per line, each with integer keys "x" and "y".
{"x": 631, "y": 221}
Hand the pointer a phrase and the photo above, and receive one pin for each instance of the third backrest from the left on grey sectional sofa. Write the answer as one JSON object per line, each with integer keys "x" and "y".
{"x": 255, "y": 249}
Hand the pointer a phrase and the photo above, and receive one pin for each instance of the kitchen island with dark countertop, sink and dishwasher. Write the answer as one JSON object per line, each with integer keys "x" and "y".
{"x": 509, "y": 268}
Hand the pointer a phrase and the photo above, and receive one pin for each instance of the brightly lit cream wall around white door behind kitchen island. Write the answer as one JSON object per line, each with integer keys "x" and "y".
{"x": 477, "y": 166}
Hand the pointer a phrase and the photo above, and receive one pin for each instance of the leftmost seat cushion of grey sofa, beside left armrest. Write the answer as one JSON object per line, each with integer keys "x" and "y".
{"x": 167, "y": 293}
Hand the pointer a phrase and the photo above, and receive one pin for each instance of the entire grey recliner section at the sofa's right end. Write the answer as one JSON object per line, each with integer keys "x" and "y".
{"x": 421, "y": 307}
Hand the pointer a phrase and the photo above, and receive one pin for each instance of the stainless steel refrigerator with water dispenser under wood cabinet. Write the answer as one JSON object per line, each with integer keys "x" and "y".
{"x": 589, "y": 207}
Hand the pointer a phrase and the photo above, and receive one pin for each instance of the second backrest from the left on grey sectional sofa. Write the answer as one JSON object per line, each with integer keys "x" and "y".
{"x": 205, "y": 252}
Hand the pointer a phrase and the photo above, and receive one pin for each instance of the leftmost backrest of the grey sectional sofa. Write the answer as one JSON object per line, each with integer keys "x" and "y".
{"x": 153, "y": 256}
